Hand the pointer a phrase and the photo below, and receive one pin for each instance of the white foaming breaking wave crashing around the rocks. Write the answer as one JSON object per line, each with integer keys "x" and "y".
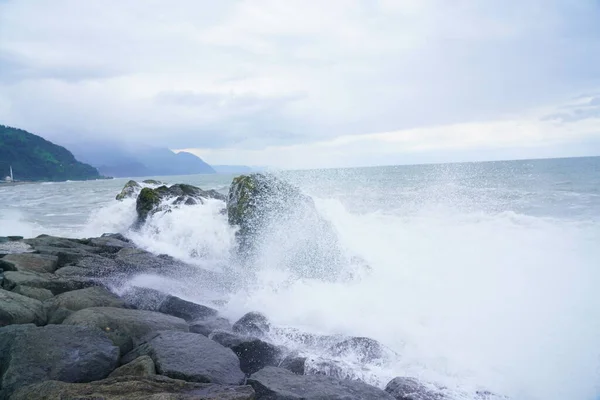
{"x": 504, "y": 302}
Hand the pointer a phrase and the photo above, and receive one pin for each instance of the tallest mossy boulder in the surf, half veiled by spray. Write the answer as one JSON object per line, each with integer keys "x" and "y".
{"x": 271, "y": 212}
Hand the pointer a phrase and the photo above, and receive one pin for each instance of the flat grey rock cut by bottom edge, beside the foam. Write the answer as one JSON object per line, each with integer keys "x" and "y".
{"x": 279, "y": 384}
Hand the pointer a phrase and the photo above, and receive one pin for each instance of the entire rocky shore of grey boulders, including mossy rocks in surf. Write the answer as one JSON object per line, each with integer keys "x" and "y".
{"x": 66, "y": 333}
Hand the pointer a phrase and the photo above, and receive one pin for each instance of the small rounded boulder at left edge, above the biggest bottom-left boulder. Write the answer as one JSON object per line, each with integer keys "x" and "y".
{"x": 18, "y": 309}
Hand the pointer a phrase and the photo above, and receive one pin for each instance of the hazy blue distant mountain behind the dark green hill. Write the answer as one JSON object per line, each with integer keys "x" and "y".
{"x": 134, "y": 161}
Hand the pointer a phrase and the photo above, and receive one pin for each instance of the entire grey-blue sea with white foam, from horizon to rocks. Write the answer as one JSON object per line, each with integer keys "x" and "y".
{"x": 480, "y": 276}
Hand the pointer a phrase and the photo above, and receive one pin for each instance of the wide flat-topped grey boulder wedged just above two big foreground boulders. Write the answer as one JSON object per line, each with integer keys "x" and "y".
{"x": 124, "y": 326}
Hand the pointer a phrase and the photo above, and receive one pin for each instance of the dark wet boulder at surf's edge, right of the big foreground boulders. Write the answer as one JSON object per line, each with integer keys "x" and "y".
{"x": 254, "y": 354}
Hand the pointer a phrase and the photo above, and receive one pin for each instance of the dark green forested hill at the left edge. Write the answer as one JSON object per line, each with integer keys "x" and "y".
{"x": 36, "y": 159}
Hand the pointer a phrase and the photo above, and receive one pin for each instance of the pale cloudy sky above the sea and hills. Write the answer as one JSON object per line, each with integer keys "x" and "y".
{"x": 302, "y": 84}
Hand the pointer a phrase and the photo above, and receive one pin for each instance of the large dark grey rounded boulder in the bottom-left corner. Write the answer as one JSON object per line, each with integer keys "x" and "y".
{"x": 58, "y": 352}
